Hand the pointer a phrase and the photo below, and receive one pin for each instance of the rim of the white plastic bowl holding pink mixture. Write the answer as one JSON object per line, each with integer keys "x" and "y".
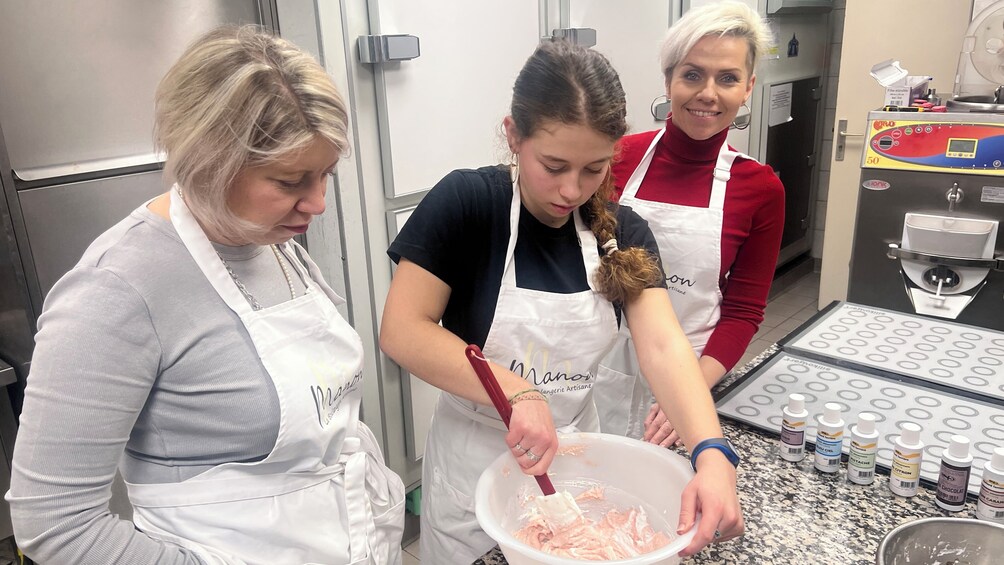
{"x": 507, "y": 539}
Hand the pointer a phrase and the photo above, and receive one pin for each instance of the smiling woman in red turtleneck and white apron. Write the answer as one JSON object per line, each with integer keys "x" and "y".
{"x": 717, "y": 215}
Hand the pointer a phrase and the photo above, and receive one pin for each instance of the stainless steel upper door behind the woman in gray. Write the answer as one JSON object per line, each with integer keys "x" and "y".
{"x": 77, "y": 85}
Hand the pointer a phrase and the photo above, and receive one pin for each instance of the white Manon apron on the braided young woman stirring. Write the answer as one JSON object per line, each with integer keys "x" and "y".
{"x": 556, "y": 343}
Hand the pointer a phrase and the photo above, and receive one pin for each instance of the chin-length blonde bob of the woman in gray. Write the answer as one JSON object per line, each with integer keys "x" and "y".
{"x": 239, "y": 98}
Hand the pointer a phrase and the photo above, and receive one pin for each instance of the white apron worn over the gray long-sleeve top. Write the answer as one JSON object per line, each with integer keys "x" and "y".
{"x": 323, "y": 496}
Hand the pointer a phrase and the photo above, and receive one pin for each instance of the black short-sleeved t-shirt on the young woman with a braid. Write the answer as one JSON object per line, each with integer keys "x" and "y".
{"x": 459, "y": 233}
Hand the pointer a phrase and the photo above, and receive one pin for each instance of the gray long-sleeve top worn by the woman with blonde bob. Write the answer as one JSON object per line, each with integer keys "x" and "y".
{"x": 138, "y": 362}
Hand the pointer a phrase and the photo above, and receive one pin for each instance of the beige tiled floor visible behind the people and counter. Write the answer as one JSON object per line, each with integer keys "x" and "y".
{"x": 786, "y": 312}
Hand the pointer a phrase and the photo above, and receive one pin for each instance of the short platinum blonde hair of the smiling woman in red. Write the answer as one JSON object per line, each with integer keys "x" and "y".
{"x": 733, "y": 20}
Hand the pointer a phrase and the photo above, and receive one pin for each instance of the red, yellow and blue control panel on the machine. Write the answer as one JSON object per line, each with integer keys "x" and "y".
{"x": 913, "y": 145}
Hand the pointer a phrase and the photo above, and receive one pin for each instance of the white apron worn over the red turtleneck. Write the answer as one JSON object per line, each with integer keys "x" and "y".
{"x": 690, "y": 246}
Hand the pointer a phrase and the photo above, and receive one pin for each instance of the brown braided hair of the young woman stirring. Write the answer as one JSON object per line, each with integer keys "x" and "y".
{"x": 575, "y": 86}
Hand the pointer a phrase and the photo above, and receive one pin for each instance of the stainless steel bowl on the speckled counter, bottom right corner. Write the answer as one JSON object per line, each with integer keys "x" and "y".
{"x": 943, "y": 541}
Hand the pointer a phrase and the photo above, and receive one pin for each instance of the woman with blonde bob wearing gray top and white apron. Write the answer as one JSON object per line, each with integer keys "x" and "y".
{"x": 199, "y": 352}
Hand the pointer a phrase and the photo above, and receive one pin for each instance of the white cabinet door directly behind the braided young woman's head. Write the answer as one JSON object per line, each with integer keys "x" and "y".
{"x": 444, "y": 110}
